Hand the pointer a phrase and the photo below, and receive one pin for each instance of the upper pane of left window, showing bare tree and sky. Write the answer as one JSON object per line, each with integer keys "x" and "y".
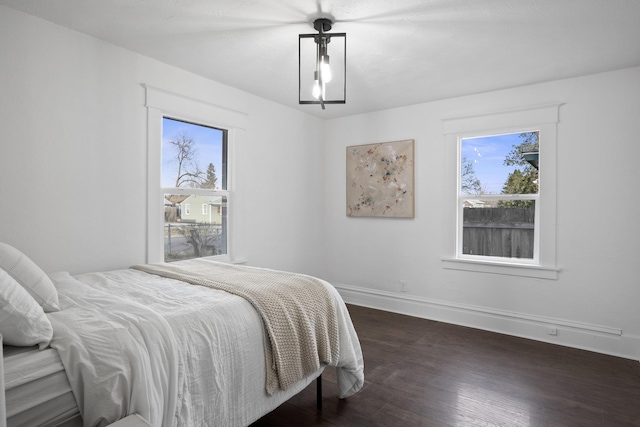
{"x": 193, "y": 156}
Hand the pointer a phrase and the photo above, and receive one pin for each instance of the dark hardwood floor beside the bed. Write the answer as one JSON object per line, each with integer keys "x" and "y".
{"x": 425, "y": 373}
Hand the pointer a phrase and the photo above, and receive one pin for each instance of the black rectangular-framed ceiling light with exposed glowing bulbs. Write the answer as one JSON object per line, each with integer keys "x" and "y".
{"x": 322, "y": 77}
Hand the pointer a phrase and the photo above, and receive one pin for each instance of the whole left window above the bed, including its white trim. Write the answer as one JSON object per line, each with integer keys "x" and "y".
{"x": 168, "y": 192}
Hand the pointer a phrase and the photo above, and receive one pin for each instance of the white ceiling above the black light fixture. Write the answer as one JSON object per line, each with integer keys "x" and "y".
{"x": 399, "y": 52}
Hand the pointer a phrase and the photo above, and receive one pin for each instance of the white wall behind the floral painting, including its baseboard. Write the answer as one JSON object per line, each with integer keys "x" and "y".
{"x": 597, "y": 293}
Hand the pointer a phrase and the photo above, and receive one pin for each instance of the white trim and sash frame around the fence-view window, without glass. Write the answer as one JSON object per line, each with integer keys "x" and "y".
{"x": 543, "y": 119}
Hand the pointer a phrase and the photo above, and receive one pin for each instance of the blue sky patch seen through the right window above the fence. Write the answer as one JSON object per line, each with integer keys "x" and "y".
{"x": 487, "y": 155}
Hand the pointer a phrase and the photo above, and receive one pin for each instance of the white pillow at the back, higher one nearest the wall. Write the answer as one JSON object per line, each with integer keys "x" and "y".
{"x": 30, "y": 276}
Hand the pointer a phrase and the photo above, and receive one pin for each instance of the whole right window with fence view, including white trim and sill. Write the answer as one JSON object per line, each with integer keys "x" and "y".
{"x": 501, "y": 199}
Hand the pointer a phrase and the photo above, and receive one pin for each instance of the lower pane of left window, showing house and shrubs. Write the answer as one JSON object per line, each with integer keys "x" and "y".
{"x": 194, "y": 234}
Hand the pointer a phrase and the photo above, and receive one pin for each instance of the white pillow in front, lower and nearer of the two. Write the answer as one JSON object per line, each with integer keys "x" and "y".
{"x": 22, "y": 320}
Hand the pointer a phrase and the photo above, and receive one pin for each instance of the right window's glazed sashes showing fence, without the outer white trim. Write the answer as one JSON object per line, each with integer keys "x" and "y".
{"x": 498, "y": 196}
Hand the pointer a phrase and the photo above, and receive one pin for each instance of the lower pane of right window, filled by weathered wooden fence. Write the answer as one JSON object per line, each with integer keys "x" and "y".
{"x": 498, "y": 228}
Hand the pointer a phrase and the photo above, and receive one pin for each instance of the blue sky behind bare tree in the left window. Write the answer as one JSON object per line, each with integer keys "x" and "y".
{"x": 208, "y": 148}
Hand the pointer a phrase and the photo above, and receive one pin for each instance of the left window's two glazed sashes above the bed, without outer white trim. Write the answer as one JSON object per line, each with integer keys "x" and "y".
{"x": 194, "y": 171}
